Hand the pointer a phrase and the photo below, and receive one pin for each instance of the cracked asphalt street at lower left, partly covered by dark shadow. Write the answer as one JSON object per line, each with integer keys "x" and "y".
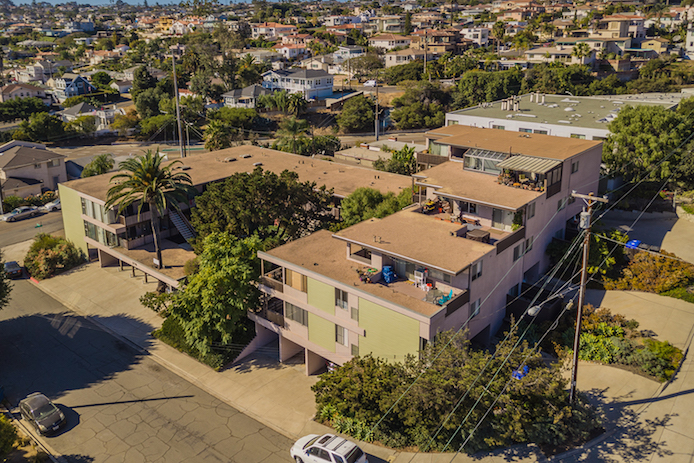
{"x": 120, "y": 405}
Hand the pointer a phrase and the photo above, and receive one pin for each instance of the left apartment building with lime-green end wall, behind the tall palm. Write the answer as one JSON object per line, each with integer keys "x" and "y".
{"x": 125, "y": 239}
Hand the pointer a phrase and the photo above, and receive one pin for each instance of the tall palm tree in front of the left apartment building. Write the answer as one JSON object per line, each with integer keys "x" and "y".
{"x": 144, "y": 180}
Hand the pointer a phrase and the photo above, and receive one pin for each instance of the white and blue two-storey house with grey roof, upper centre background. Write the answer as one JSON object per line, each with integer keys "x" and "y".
{"x": 313, "y": 84}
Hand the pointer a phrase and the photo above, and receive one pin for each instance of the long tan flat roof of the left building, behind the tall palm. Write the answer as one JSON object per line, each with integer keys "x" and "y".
{"x": 213, "y": 166}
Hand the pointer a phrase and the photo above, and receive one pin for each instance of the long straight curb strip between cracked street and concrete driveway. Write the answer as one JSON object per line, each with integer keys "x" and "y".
{"x": 175, "y": 369}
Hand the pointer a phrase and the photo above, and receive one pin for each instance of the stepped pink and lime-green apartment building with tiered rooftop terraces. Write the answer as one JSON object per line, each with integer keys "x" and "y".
{"x": 478, "y": 230}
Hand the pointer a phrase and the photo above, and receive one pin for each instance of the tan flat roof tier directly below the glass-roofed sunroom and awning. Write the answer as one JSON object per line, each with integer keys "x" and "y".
{"x": 476, "y": 187}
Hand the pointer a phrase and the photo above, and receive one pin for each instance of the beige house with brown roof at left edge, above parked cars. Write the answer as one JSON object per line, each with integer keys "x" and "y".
{"x": 29, "y": 168}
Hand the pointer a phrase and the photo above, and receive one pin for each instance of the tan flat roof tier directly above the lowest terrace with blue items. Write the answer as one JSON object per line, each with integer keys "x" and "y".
{"x": 418, "y": 237}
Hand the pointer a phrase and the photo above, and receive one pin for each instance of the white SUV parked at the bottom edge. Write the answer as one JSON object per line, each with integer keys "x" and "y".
{"x": 326, "y": 448}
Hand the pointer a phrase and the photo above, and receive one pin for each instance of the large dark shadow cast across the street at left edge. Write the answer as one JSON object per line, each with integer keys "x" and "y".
{"x": 55, "y": 353}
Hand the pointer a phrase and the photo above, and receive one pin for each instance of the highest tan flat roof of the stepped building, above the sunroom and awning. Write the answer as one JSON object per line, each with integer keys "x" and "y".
{"x": 506, "y": 141}
